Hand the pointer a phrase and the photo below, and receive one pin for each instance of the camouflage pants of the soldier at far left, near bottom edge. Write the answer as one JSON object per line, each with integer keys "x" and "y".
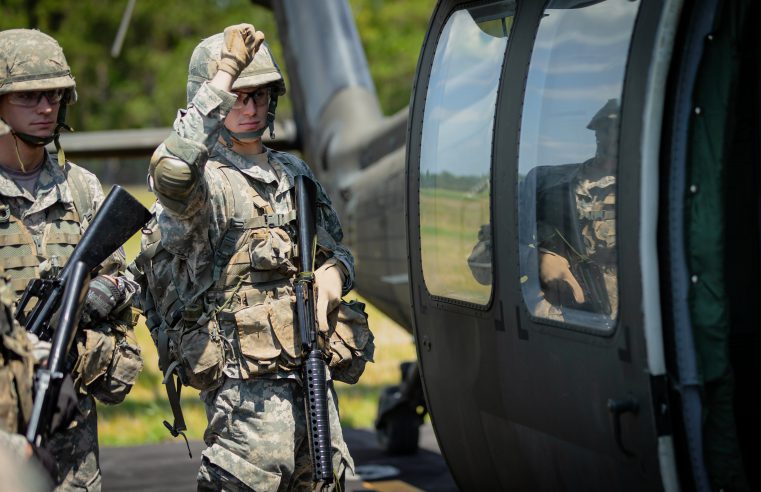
{"x": 76, "y": 451}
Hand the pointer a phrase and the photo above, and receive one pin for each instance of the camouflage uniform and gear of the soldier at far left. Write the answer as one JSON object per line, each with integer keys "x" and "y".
{"x": 109, "y": 359}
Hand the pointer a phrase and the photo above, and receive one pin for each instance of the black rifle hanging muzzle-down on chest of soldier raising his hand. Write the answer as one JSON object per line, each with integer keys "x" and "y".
{"x": 314, "y": 367}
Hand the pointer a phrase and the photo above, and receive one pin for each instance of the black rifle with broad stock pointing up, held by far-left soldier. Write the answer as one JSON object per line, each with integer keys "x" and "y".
{"x": 118, "y": 218}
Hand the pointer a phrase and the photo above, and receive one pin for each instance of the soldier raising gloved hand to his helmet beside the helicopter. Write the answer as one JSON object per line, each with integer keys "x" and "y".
{"x": 217, "y": 270}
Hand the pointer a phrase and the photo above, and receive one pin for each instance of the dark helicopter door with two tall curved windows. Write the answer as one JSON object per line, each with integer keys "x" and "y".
{"x": 523, "y": 227}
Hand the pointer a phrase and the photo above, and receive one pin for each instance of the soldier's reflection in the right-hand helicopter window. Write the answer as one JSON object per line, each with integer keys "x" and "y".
{"x": 576, "y": 227}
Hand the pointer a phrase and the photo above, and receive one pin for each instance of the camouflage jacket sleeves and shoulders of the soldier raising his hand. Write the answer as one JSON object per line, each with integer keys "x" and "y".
{"x": 204, "y": 212}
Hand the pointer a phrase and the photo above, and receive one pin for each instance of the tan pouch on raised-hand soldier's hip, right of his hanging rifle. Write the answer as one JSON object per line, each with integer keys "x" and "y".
{"x": 350, "y": 342}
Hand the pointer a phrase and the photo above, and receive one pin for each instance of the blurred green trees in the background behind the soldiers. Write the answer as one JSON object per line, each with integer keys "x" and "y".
{"x": 145, "y": 84}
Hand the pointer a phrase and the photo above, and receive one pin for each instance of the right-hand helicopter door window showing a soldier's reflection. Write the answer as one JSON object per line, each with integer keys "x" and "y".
{"x": 567, "y": 162}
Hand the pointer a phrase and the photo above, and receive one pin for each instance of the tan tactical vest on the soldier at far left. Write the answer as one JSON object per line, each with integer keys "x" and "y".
{"x": 21, "y": 255}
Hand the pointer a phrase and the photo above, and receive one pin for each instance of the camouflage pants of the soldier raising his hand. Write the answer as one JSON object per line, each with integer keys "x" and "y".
{"x": 257, "y": 437}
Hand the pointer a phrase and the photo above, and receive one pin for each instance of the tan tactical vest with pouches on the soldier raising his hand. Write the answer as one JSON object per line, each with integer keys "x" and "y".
{"x": 246, "y": 317}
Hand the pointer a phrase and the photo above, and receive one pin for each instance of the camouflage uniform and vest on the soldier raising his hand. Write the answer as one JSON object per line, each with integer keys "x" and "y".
{"x": 246, "y": 323}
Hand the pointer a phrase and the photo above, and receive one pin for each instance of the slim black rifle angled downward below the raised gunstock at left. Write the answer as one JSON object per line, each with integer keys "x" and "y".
{"x": 49, "y": 377}
